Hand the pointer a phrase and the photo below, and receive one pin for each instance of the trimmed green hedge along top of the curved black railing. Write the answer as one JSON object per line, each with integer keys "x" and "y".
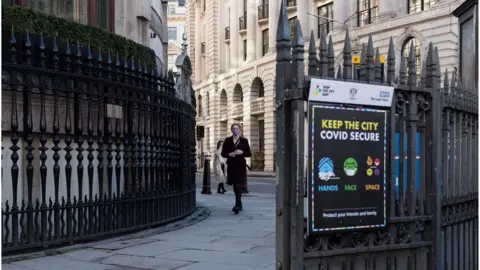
{"x": 23, "y": 19}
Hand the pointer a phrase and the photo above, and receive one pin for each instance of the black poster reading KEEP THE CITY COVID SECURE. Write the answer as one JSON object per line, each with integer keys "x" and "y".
{"x": 347, "y": 168}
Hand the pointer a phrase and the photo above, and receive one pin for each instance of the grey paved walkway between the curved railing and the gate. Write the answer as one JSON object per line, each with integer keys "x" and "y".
{"x": 218, "y": 240}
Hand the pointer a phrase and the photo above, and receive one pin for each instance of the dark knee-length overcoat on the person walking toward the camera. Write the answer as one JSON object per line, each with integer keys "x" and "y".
{"x": 236, "y": 166}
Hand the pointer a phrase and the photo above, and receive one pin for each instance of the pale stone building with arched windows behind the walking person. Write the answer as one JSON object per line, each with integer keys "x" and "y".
{"x": 232, "y": 48}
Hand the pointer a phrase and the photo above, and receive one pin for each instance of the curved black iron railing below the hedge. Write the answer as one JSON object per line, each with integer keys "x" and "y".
{"x": 109, "y": 146}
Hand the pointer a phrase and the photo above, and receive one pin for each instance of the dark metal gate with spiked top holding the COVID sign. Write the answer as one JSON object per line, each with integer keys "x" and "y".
{"x": 433, "y": 206}
